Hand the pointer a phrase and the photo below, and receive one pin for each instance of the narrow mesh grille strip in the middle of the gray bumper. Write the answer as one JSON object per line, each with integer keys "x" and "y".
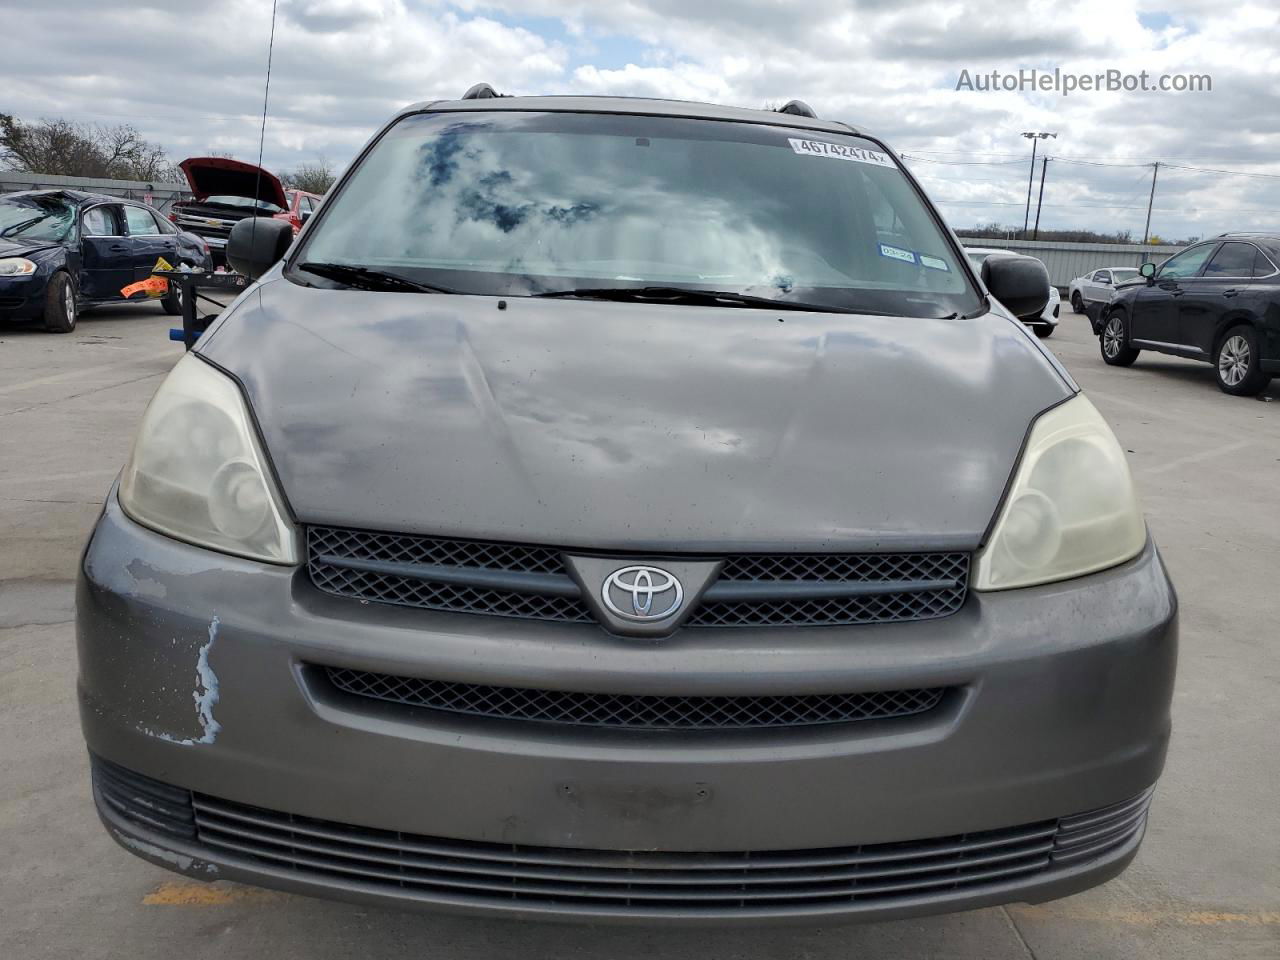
{"x": 634, "y": 712}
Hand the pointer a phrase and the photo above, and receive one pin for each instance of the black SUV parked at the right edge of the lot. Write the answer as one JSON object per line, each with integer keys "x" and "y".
{"x": 1217, "y": 301}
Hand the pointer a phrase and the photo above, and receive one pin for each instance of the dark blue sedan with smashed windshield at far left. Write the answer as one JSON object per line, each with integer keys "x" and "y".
{"x": 63, "y": 252}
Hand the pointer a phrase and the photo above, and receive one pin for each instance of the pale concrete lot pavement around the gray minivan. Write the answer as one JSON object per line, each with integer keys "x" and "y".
{"x": 1205, "y": 885}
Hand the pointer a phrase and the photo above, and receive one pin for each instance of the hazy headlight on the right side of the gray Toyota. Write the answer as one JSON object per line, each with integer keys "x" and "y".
{"x": 1072, "y": 509}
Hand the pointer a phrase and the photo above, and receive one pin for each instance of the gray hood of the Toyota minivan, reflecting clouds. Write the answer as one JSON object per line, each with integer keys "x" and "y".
{"x": 627, "y": 427}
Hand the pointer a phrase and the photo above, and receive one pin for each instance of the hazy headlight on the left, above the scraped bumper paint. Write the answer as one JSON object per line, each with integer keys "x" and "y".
{"x": 198, "y": 473}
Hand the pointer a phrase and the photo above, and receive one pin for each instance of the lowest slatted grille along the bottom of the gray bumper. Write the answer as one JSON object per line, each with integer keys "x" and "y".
{"x": 739, "y": 884}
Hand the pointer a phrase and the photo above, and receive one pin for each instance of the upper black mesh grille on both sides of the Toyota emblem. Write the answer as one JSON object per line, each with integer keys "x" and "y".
{"x": 533, "y": 583}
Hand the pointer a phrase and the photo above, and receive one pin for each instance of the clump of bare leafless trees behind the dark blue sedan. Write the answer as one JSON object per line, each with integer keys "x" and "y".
{"x": 62, "y": 148}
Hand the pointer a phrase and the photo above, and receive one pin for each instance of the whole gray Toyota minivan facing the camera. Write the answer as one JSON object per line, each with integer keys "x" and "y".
{"x": 627, "y": 510}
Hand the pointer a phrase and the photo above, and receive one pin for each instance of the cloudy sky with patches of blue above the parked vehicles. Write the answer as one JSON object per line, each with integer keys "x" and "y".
{"x": 190, "y": 76}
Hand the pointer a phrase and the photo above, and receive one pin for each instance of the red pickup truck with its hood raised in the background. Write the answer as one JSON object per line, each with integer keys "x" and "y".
{"x": 226, "y": 191}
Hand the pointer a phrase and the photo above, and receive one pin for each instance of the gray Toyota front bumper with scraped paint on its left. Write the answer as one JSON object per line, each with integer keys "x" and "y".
{"x": 1060, "y": 710}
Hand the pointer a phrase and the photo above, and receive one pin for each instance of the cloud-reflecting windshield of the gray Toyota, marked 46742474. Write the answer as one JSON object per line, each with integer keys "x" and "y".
{"x": 518, "y": 204}
